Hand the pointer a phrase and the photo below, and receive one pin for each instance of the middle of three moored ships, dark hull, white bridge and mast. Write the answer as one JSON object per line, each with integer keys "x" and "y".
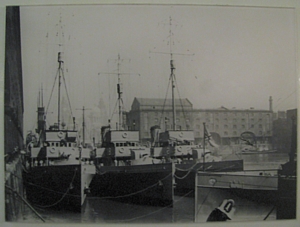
{"x": 125, "y": 169}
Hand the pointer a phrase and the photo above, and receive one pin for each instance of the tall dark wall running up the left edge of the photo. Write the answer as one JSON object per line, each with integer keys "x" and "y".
{"x": 13, "y": 117}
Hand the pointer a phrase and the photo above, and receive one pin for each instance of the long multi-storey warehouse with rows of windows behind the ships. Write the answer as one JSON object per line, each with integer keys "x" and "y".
{"x": 225, "y": 125}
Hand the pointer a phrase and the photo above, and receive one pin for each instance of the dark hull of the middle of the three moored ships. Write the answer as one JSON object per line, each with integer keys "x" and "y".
{"x": 140, "y": 184}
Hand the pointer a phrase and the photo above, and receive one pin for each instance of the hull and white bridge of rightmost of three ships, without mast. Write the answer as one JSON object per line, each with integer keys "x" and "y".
{"x": 178, "y": 146}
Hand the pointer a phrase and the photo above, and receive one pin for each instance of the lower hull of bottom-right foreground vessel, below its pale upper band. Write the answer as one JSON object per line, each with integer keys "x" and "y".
{"x": 250, "y": 205}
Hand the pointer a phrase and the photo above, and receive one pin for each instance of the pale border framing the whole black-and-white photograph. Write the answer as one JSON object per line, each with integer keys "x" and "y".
{"x": 253, "y": 3}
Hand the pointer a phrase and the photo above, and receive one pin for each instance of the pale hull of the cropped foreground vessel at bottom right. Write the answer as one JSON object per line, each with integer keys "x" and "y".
{"x": 254, "y": 194}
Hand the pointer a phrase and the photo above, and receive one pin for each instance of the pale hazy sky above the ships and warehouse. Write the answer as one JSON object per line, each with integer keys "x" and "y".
{"x": 228, "y": 56}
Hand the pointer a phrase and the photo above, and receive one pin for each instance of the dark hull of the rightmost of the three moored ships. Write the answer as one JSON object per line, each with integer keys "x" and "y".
{"x": 185, "y": 173}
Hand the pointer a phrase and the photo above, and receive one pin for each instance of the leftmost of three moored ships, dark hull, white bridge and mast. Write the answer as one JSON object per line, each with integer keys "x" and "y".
{"x": 58, "y": 168}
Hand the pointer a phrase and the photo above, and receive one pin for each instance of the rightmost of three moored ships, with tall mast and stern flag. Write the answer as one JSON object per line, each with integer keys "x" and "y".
{"x": 178, "y": 146}
